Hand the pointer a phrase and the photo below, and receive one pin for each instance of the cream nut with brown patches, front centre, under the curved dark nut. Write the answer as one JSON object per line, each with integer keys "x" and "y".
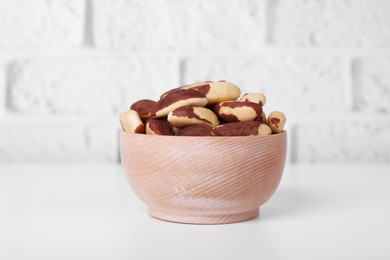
{"x": 190, "y": 115}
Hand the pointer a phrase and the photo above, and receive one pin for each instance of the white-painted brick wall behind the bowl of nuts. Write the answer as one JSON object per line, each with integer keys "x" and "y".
{"x": 69, "y": 67}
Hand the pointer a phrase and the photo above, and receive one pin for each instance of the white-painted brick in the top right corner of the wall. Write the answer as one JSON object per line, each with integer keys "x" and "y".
{"x": 331, "y": 23}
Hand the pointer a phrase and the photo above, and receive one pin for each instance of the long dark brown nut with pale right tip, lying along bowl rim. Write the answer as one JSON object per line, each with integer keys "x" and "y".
{"x": 255, "y": 128}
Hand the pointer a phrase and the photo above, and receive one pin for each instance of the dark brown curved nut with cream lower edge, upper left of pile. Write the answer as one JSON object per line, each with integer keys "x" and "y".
{"x": 179, "y": 98}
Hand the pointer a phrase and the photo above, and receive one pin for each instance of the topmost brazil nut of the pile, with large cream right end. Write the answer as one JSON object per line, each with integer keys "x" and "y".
{"x": 214, "y": 91}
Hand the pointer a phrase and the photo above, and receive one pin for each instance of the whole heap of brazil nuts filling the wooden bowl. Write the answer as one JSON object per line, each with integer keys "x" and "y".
{"x": 203, "y": 109}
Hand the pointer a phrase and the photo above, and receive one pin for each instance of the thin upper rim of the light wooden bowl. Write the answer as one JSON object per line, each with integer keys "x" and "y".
{"x": 284, "y": 133}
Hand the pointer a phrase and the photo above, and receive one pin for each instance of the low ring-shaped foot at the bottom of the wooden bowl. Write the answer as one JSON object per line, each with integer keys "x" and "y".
{"x": 205, "y": 219}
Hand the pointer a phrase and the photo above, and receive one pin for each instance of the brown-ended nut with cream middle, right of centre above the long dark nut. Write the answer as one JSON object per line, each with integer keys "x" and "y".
{"x": 238, "y": 111}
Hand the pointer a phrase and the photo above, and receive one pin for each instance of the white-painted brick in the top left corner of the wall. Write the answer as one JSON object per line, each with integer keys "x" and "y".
{"x": 41, "y": 23}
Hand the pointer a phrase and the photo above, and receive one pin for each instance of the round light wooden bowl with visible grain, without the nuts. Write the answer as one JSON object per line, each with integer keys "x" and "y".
{"x": 203, "y": 180}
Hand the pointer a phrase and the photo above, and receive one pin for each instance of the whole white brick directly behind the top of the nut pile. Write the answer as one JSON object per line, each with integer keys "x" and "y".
{"x": 295, "y": 85}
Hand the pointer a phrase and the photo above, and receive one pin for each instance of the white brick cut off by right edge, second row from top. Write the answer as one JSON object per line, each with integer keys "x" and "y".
{"x": 372, "y": 84}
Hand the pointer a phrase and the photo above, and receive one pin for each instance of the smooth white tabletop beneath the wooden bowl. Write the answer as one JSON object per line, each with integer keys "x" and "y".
{"x": 90, "y": 212}
